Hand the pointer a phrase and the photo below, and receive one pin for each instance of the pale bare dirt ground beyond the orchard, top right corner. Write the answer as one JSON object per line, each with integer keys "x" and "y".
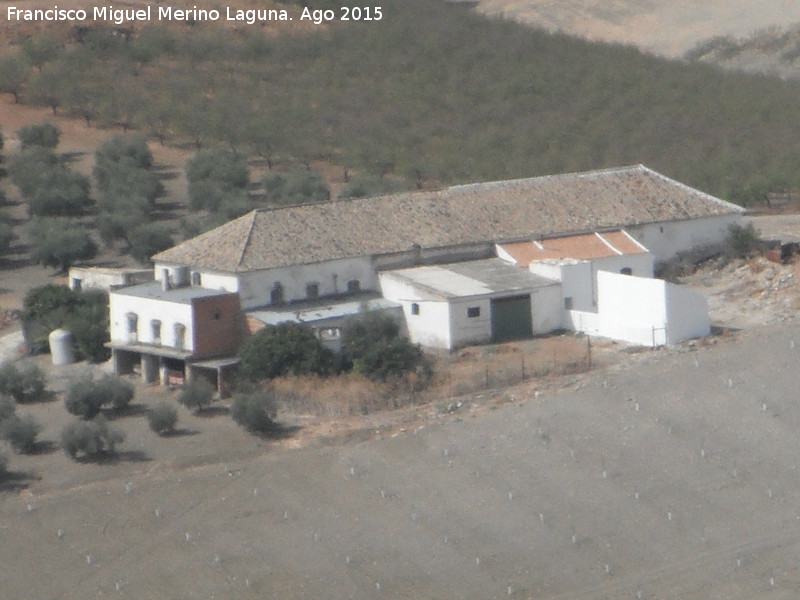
{"x": 661, "y": 26}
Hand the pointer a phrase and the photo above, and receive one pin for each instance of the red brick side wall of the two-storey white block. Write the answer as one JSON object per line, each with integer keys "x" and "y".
{"x": 217, "y": 325}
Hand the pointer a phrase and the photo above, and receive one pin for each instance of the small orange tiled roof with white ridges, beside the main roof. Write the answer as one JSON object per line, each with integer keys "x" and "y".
{"x": 584, "y": 246}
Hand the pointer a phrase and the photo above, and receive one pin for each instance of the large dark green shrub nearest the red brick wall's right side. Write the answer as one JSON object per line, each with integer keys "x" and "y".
{"x": 284, "y": 349}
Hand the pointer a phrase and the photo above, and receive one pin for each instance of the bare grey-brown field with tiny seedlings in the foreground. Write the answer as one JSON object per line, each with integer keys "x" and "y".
{"x": 535, "y": 498}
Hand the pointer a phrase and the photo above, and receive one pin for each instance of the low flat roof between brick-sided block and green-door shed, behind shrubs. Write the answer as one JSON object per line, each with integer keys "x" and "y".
{"x": 321, "y": 310}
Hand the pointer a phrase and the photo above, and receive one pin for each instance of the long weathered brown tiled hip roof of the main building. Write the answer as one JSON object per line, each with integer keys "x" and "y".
{"x": 502, "y": 211}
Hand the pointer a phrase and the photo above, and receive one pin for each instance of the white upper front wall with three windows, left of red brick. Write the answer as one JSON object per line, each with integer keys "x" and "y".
{"x": 147, "y": 309}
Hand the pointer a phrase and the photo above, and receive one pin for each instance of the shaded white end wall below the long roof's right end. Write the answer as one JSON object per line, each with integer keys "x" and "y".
{"x": 666, "y": 240}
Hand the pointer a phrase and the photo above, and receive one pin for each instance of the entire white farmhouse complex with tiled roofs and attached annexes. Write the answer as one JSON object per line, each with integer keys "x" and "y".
{"x": 466, "y": 264}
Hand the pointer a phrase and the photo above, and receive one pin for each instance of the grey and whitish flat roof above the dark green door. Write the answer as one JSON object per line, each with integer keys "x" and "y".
{"x": 471, "y": 278}
